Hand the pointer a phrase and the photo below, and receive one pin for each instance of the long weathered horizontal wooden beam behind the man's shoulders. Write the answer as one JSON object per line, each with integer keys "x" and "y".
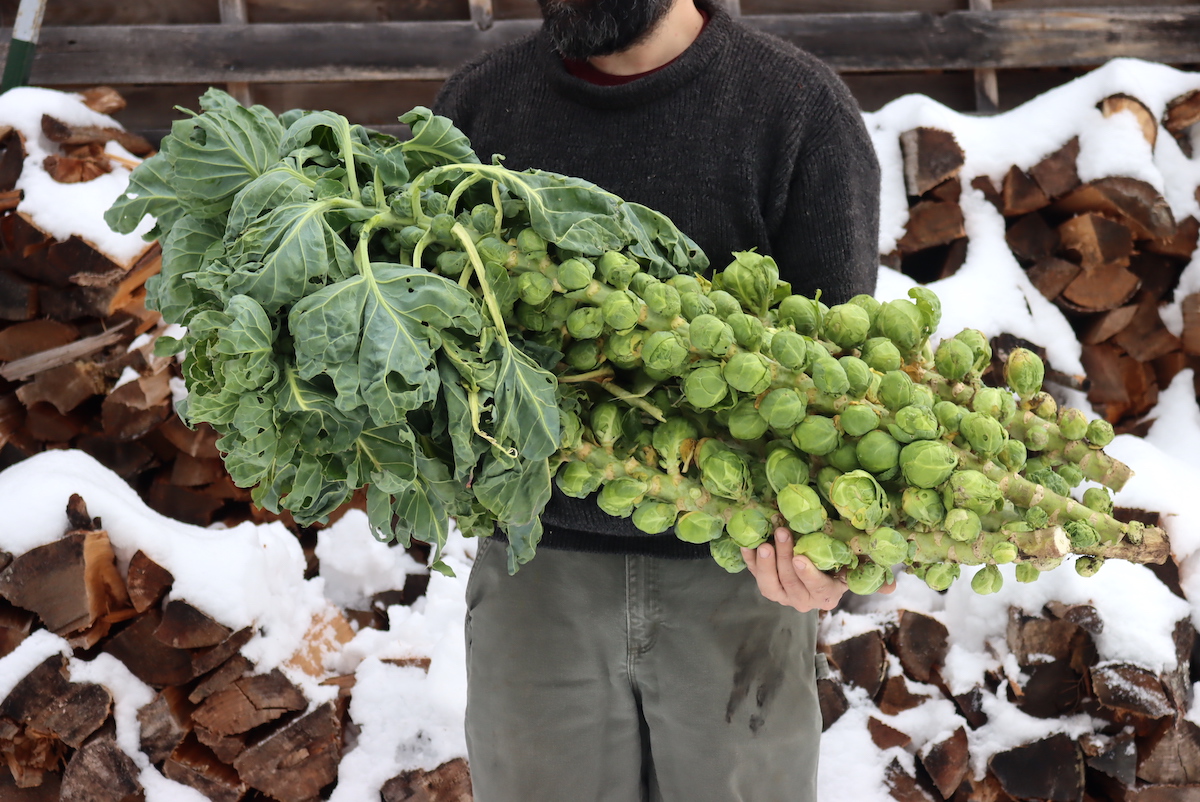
{"x": 404, "y": 51}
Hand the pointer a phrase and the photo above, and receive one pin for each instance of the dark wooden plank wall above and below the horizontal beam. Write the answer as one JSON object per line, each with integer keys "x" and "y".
{"x": 379, "y": 103}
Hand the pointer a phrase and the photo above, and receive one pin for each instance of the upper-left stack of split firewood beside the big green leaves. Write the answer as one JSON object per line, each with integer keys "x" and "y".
{"x": 76, "y": 370}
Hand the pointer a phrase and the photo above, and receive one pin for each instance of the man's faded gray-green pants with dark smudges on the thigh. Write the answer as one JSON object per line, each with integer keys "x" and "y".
{"x": 631, "y": 679}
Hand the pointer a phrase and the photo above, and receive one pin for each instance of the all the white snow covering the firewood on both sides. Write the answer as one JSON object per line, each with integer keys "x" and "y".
{"x": 412, "y": 719}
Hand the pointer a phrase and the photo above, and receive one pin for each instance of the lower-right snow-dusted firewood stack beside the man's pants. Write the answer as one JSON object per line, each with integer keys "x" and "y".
{"x": 1142, "y": 746}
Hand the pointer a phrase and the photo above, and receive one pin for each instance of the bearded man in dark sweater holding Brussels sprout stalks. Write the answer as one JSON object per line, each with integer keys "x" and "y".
{"x": 617, "y": 666}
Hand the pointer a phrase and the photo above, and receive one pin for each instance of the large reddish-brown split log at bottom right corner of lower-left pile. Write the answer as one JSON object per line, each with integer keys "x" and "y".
{"x": 299, "y": 761}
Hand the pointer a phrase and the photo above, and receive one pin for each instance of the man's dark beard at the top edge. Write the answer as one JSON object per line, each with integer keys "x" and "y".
{"x": 581, "y": 29}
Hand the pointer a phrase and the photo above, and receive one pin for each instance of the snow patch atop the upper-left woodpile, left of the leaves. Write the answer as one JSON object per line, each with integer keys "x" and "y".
{"x": 67, "y": 210}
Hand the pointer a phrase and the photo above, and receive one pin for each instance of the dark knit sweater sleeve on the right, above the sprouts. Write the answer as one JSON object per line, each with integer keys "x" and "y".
{"x": 829, "y": 235}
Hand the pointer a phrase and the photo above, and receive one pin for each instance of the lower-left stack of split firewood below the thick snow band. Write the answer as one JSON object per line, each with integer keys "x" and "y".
{"x": 215, "y": 725}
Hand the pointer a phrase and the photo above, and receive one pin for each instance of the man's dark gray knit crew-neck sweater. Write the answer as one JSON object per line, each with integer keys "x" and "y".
{"x": 745, "y": 142}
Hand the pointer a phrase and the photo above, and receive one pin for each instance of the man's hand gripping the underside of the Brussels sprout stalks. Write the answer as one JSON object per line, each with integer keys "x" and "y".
{"x": 794, "y": 580}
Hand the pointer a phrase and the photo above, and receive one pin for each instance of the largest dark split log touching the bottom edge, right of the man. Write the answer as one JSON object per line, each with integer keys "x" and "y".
{"x": 1052, "y": 769}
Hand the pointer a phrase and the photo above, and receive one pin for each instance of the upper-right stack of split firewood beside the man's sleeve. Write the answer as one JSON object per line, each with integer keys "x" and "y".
{"x": 1108, "y": 253}
